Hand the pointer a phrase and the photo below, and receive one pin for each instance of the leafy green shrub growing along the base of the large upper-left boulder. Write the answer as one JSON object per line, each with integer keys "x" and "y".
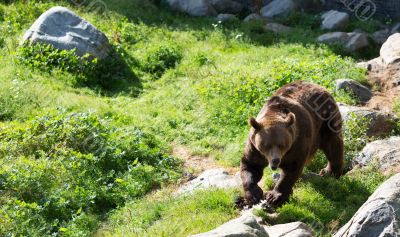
{"x": 111, "y": 73}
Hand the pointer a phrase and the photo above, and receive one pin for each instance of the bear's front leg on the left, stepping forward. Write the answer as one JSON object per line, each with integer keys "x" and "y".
{"x": 251, "y": 174}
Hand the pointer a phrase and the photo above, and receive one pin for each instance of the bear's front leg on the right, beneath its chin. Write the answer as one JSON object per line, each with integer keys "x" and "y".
{"x": 284, "y": 187}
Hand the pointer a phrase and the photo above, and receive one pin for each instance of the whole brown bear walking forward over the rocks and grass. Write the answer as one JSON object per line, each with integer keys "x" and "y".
{"x": 297, "y": 120}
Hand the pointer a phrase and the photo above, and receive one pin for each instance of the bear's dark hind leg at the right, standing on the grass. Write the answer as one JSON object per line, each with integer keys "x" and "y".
{"x": 333, "y": 149}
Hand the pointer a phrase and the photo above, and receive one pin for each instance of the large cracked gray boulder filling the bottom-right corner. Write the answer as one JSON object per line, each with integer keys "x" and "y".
{"x": 379, "y": 216}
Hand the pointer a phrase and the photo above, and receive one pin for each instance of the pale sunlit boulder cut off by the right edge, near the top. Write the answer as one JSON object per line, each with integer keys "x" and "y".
{"x": 390, "y": 50}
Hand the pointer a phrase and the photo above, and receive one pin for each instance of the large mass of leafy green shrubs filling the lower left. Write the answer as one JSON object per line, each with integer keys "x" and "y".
{"x": 64, "y": 170}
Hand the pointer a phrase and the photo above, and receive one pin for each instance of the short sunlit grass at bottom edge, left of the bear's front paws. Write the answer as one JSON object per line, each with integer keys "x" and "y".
{"x": 162, "y": 214}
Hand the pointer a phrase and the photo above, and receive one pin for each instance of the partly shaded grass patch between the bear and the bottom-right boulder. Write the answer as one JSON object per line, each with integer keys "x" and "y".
{"x": 326, "y": 204}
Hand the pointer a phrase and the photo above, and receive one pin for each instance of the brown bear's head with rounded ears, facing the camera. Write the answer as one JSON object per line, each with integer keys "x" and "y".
{"x": 273, "y": 137}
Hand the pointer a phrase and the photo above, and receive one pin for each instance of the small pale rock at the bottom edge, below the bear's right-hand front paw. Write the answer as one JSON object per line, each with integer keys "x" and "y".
{"x": 294, "y": 229}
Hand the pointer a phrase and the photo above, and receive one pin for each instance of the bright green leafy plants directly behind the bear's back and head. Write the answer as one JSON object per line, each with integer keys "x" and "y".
{"x": 233, "y": 99}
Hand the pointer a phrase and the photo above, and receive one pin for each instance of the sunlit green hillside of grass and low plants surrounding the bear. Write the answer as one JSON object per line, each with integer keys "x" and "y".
{"x": 79, "y": 140}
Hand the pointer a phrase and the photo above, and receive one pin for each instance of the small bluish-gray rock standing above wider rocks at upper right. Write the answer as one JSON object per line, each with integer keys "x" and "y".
{"x": 335, "y": 20}
